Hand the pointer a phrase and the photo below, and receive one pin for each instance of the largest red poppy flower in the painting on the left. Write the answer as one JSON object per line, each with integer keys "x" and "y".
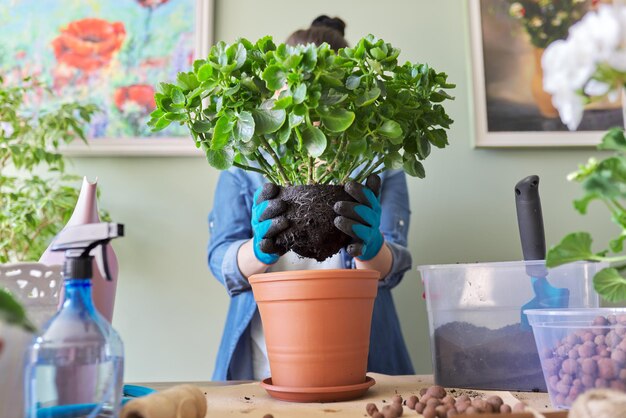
{"x": 88, "y": 44}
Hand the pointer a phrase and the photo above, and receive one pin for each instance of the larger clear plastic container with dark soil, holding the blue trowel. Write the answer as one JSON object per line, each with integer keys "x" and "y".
{"x": 474, "y": 315}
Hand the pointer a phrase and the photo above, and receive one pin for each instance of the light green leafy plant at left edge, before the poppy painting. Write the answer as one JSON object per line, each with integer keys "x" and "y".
{"x": 37, "y": 195}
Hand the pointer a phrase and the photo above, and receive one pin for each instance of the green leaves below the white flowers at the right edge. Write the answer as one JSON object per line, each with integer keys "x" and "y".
{"x": 603, "y": 180}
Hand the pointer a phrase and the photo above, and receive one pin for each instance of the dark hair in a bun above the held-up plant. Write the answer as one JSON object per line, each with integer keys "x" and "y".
{"x": 322, "y": 29}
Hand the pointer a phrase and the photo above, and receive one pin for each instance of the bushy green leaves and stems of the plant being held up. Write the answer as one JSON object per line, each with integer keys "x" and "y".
{"x": 307, "y": 114}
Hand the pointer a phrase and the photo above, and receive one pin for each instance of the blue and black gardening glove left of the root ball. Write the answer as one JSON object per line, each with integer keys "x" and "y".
{"x": 267, "y": 222}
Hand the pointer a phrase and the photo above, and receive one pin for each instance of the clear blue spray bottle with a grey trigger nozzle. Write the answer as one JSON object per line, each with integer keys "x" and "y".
{"x": 74, "y": 367}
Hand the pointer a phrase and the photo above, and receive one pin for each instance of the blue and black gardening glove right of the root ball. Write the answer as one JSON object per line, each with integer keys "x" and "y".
{"x": 361, "y": 219}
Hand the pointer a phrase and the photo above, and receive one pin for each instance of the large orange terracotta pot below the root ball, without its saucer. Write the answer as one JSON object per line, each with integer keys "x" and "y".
{"x": 316, "y": 325}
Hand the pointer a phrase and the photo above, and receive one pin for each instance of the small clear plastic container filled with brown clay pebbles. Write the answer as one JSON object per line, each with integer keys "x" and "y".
{"x": 580, "y": 349}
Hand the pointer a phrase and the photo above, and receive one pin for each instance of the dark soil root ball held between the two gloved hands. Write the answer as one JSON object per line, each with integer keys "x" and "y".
{"x": 311, "y": 231}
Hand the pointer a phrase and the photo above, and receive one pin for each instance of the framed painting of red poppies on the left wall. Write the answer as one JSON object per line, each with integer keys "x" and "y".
{"x": 112, "y": 53}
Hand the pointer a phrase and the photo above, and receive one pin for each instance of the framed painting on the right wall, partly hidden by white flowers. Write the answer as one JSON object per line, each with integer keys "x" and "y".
{"x": 508, "y": 38}
